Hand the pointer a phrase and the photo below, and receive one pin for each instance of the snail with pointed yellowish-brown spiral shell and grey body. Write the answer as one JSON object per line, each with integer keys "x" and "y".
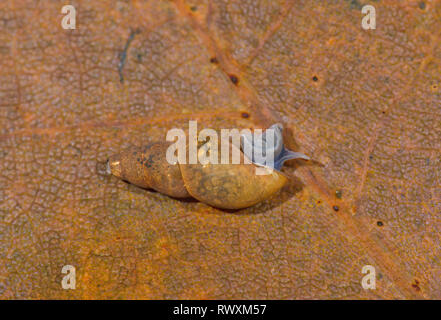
{"x": 221, "y": 185}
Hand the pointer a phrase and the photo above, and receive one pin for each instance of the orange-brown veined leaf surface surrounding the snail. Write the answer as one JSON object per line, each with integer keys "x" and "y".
{"x": 364, "y": 104}
